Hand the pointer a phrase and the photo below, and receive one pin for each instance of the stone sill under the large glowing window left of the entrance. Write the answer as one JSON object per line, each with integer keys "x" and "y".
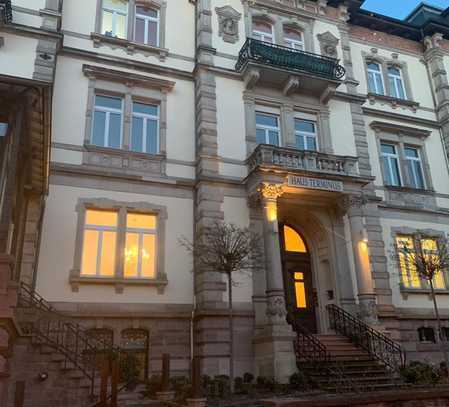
{"x": 160, "y": 283}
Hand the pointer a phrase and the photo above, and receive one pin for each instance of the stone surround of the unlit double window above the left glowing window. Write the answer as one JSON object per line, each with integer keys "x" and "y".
{"x": 126, "y": 86}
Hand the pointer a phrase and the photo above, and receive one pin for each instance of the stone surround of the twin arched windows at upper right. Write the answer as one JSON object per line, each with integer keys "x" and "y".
{"x": 384, "y": 64}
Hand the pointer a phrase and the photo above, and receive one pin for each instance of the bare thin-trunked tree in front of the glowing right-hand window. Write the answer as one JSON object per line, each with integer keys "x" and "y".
{"x": 429, "y": 256}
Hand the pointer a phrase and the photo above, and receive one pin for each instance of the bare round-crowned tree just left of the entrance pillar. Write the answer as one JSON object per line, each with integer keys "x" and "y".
{"x": 226, "y": 248}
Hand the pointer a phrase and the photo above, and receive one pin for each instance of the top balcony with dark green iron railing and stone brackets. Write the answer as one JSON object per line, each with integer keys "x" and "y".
{"x": 293, "y": 70}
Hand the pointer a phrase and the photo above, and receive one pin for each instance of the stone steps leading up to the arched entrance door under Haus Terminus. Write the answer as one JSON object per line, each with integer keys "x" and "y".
{"x": 355, "y": 369}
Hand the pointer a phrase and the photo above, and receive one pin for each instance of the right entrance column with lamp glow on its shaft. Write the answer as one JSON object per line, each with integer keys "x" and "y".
{"x": 365, "y": 283}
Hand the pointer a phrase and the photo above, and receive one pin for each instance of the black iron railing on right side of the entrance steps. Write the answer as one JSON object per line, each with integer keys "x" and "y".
{"x": 374, "y": 342}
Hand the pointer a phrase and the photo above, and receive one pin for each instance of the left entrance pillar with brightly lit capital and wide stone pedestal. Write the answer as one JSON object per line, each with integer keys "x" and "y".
{"x": 274, "y": 346}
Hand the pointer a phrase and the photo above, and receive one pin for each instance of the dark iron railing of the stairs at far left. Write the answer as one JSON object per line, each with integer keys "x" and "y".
{"x": 47, "y": 327}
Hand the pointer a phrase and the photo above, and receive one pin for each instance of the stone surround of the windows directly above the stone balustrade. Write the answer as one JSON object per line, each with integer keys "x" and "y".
{"x": 288, "y": 110}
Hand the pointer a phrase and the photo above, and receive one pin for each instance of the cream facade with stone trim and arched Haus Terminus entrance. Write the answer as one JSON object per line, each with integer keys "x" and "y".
{"x": 169, "y": 115}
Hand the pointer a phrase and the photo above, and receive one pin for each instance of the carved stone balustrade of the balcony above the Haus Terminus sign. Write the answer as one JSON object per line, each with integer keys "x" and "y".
{"x": 291, "y": 158}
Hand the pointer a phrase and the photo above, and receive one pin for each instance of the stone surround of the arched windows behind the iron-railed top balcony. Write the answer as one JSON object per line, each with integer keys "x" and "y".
{"x": 303, "y": 25}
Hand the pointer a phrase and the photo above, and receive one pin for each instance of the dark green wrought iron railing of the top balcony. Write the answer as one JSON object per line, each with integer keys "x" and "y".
{"x": 288, "y": 58}
